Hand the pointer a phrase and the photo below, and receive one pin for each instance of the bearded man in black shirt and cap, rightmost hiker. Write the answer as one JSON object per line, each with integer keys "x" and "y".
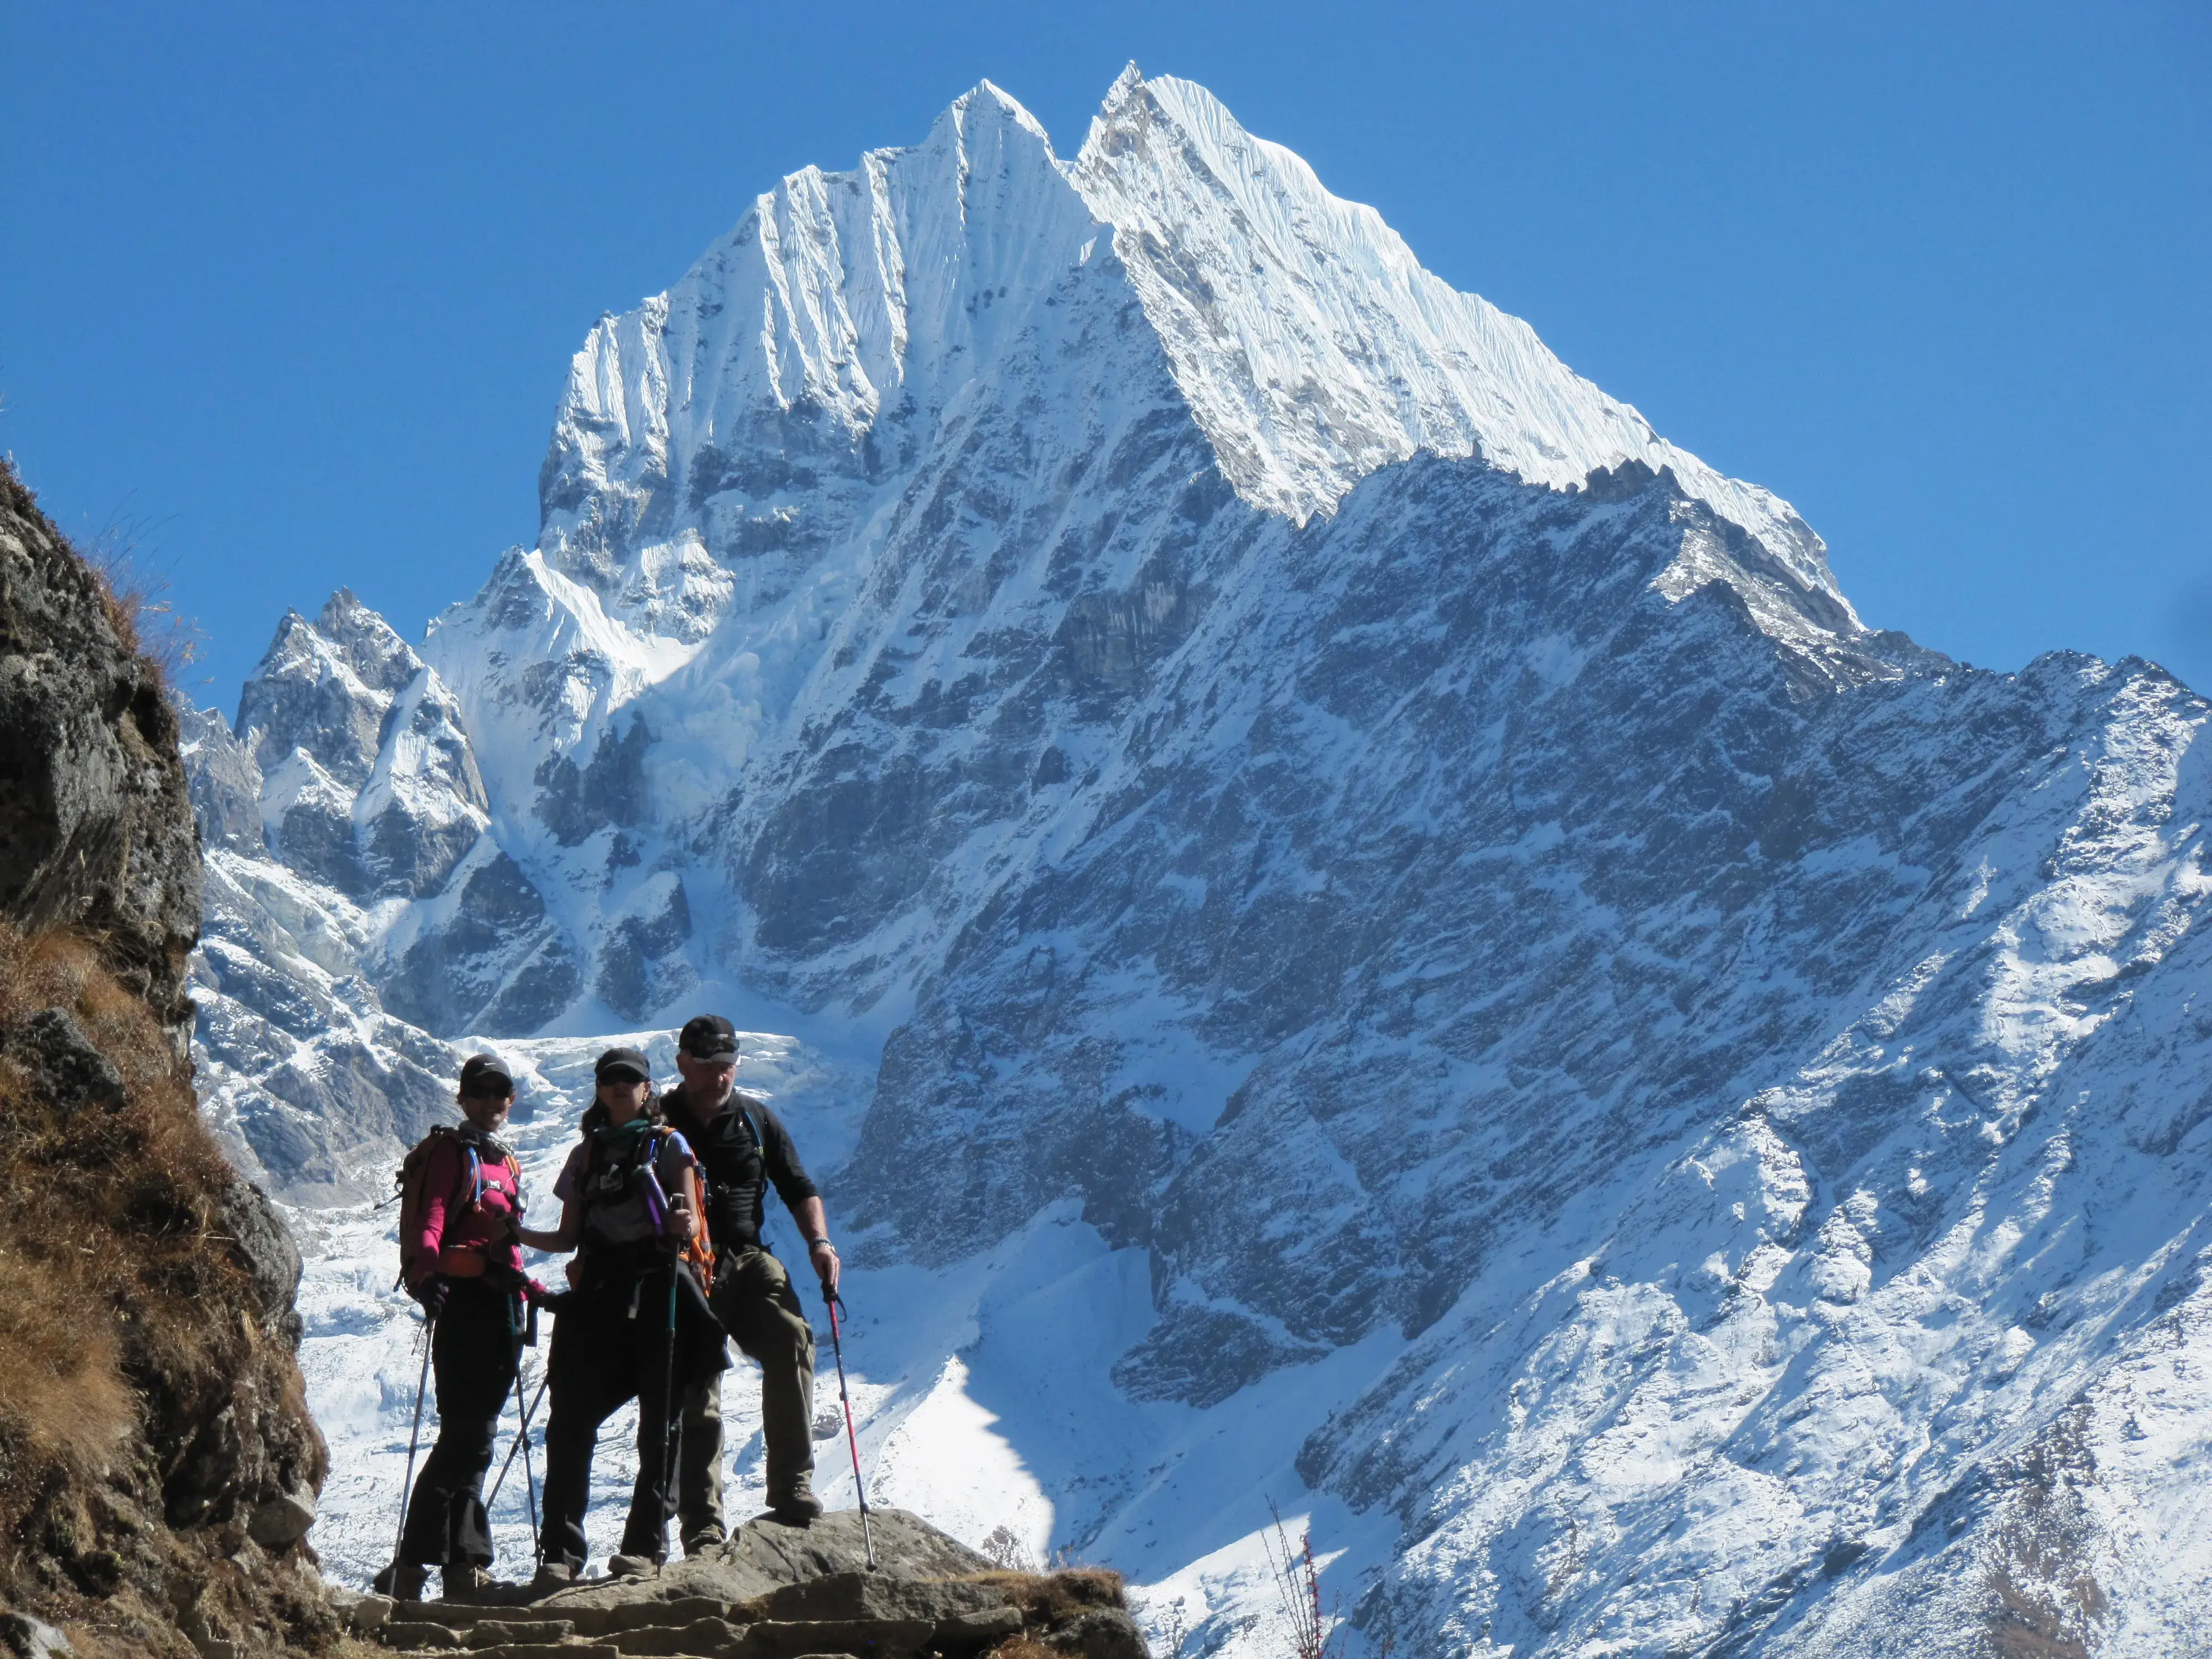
{"x": 742, "y": 1147}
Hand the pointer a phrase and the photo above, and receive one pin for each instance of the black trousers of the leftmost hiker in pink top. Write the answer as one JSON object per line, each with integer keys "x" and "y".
{"x": 474, "y": 1355}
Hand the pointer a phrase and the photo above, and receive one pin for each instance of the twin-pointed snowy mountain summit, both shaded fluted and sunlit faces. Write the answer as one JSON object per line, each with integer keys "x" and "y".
{"x": 762, "y": 410}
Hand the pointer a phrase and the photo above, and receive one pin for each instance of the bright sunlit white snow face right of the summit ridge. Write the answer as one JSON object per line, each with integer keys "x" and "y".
{"x": 1315, "y": 346}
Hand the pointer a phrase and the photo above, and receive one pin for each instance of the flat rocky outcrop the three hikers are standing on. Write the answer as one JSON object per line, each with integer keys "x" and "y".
{"x": 782, "y": 1594}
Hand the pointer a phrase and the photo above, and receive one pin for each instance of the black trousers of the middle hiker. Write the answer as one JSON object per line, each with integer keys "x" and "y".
{"x": 612, "y": 1344}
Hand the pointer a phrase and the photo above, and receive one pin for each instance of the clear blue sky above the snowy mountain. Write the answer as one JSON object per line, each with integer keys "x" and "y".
{"x": 289, "y": 293}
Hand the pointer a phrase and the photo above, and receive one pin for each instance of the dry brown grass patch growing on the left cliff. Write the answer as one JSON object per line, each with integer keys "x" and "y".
{"x": 109, "y": 1246}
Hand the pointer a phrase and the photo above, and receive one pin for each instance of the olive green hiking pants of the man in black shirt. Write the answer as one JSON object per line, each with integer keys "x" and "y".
{"x": 758, "y": 1304}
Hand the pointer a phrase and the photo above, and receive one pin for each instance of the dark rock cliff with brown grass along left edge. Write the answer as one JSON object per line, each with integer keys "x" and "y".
{"x": 158, "y": 1465}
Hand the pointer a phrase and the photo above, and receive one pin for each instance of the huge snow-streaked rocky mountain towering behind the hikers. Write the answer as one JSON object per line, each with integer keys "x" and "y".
{"x": 1682, "y": 1109}
